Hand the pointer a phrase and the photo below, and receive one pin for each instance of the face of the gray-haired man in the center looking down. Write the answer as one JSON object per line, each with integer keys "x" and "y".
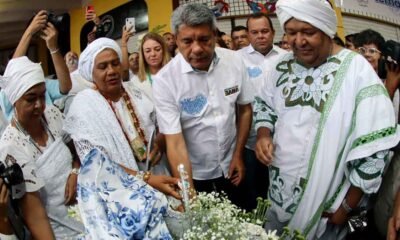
{"x": 196, "y": 44}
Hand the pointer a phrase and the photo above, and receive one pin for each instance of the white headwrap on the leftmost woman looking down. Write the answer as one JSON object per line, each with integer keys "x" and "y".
{"x": 20, "y": 75}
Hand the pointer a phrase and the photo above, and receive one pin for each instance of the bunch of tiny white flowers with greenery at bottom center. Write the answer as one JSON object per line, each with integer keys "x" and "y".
{"x": 211, "y": 216}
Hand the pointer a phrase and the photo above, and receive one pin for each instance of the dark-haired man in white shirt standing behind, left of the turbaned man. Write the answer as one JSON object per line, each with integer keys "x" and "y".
{"x": 259, "y": 57}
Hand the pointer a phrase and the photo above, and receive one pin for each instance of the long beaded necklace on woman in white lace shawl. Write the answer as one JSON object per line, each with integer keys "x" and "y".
{"x": 134, "y": 118}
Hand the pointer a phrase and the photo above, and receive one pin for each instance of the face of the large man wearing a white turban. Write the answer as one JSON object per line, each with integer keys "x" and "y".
{"x": 310, "y": 45}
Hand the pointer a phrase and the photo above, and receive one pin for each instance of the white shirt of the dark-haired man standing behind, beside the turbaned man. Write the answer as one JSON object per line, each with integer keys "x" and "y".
{"x": 258, "y": 66}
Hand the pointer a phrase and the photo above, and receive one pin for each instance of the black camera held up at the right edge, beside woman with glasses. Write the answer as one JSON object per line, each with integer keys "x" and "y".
{"x": 390, "y": 54}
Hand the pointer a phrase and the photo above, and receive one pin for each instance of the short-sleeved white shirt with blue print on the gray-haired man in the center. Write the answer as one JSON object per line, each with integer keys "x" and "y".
{"x": 202, "y": 105}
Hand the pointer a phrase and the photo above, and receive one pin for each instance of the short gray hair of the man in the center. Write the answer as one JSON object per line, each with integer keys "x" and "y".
{"x": 192, "y": 14}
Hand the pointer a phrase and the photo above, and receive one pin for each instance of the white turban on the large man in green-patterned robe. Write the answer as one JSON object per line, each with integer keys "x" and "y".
{"x": 315, "y": 12}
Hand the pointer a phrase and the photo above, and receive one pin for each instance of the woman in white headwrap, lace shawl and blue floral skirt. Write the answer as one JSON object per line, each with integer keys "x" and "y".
{"x": 109, "y": 126}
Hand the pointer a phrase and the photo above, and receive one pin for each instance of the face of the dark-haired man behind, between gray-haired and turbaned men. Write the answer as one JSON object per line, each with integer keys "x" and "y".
{"x": 261, "y": 35}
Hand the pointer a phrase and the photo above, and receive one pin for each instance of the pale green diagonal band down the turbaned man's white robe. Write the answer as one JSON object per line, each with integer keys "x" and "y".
{"x": 341, "y": 73}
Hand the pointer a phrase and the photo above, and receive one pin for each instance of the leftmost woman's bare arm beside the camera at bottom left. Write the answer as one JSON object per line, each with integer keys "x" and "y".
{"x": 35, "y": 216}
